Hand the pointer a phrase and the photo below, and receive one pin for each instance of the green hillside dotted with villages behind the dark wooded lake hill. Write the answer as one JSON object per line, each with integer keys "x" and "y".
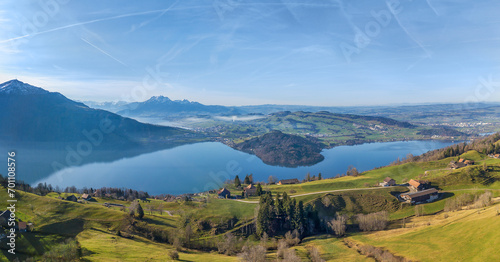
{"x": 328, "y": 128}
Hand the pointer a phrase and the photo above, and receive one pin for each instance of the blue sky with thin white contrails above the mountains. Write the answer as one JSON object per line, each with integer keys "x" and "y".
{"x": 234, "y": 52}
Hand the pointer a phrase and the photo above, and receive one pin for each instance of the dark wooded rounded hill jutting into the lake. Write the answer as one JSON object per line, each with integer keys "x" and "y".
{"x": 277, "y": 148}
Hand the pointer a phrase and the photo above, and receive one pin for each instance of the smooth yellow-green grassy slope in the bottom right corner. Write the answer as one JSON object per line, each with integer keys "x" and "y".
{"x": 468, "y": 235}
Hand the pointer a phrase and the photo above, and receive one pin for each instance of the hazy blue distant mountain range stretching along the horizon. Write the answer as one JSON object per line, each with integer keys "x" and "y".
{"x": 428, "y": 114}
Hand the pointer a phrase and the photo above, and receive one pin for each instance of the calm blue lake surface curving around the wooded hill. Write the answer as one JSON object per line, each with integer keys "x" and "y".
{"x": 204, "y": 166}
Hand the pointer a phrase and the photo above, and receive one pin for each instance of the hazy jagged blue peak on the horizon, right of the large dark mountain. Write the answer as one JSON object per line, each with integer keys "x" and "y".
{"x": 161, "y": 106}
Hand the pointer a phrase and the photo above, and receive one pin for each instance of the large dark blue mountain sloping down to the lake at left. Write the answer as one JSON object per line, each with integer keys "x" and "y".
{"x": 32, "y": 114}
